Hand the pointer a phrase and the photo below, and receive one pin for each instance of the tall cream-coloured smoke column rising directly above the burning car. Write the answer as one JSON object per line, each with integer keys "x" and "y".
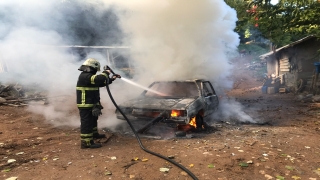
{"x": 175, "y": 40}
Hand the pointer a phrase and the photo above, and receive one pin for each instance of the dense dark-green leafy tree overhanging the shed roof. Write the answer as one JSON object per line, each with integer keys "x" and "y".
{"x": 286, "y": 21}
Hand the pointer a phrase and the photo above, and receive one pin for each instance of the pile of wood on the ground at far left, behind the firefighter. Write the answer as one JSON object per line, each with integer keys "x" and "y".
{"x": 16, "y": 95}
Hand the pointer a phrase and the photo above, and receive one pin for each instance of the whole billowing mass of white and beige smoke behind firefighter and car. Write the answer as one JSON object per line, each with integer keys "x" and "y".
{"x": 168, "y": 39}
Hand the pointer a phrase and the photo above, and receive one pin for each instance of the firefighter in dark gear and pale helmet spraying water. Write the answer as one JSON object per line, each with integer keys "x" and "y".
{"x": 88, "y": 101}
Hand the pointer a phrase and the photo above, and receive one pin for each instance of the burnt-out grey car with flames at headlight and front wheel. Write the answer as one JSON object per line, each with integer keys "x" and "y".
{"x": 179, "y": 102}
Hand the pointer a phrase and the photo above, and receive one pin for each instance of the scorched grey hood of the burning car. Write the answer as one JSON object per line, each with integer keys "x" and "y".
{"x": 157, "y": 103}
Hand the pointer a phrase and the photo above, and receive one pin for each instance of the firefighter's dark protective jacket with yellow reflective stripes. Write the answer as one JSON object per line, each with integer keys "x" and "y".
{"x": 88, "y": 84}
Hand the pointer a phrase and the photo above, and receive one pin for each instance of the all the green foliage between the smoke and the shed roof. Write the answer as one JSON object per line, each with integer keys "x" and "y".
{"x": 281, "y": 23}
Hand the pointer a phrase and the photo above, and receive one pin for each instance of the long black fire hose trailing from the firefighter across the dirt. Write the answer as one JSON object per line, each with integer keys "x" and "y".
{"x": 140, "y": 143}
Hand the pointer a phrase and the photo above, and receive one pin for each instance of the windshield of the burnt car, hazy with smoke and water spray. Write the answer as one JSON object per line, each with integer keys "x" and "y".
{"x": 173, "y": 89}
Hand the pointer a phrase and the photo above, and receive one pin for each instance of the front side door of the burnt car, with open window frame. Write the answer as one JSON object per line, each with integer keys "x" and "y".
{"x": 210, "y": 97}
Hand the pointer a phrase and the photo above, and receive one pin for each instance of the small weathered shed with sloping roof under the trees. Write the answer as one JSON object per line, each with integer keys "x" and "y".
{"x": 293, "y": 64}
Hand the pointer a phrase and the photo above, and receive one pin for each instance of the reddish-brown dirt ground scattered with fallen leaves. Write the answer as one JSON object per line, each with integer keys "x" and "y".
{"x": 283, "y": 144}
